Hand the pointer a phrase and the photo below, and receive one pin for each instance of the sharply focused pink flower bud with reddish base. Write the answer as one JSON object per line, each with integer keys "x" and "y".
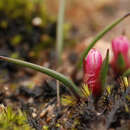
{"x": 92, "y": 66}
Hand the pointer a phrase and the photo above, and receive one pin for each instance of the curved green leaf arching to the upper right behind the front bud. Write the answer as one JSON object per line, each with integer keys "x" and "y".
{"x": 99, "y": 36}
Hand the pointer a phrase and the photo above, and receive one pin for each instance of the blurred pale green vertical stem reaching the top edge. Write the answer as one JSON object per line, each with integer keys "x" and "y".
{"x": 59, "y": 45}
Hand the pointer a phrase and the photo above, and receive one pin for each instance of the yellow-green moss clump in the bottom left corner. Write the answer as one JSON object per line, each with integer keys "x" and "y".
{"x": 13, "y": 120}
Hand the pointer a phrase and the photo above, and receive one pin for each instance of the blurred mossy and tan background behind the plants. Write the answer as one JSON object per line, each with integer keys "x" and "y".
{"x": 28, "y": 27}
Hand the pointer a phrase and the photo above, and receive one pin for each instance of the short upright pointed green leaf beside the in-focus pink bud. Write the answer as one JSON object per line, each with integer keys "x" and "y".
{"x": 104, "y": 70}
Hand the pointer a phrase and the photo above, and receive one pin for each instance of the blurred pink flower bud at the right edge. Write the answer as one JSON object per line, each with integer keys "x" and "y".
{"x": 120, "y": 45}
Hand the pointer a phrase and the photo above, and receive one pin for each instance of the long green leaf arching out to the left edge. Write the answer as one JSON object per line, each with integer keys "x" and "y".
{"x": 66, "y": 81}
